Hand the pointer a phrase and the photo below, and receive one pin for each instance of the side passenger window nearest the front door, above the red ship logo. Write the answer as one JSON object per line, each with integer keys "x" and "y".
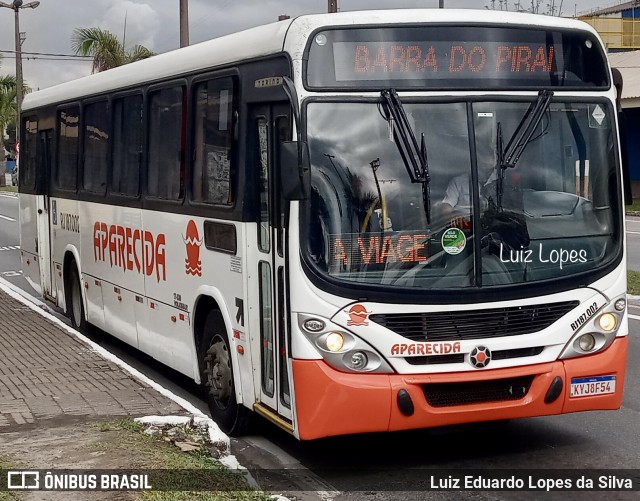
{"x": 214, "y": 141}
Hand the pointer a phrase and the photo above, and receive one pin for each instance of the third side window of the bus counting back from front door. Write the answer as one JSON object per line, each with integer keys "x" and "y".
{"x": 127, "y": 145}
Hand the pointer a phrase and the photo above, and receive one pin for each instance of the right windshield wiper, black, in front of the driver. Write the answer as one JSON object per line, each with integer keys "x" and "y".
{"x": 508, "y": 157}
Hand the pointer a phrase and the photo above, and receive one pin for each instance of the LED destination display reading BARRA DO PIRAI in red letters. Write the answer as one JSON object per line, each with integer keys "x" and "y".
{"x": 410, "y": 60}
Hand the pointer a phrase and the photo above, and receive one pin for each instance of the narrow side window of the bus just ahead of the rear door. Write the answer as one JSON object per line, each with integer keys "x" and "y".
{"x": 67, "y": 173}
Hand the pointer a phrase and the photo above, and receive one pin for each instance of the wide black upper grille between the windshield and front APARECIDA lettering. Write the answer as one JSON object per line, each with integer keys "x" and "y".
{"x": 474, "y": 324}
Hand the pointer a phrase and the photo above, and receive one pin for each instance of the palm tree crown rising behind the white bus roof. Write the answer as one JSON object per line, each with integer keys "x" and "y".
{"x": 105, "y": 48}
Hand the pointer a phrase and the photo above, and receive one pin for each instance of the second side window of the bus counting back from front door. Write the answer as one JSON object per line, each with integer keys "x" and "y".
{"x": 165, "y": 144}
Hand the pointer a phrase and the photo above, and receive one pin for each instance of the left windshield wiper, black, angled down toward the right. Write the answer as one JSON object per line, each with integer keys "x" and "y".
{"x": 413, "y": 155}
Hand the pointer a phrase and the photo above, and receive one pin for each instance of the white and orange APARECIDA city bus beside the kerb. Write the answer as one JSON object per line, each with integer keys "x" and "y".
{"x": 300, "y": 218}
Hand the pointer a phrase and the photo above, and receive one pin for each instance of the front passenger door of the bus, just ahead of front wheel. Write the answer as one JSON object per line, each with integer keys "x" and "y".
{"x": 270, "y": 125}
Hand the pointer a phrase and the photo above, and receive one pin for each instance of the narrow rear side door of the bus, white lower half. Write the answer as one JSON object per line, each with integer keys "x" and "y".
{"x": 44, "y": 213}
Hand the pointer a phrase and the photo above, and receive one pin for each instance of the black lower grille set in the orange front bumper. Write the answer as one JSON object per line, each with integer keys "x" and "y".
{"x": 476, "y": 392}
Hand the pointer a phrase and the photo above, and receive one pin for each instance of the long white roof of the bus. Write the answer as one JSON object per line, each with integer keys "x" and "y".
{"x": 289, "y": 35}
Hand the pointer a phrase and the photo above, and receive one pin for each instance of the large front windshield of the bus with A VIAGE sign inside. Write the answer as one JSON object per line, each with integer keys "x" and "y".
{"x": 552, "y": 214}
